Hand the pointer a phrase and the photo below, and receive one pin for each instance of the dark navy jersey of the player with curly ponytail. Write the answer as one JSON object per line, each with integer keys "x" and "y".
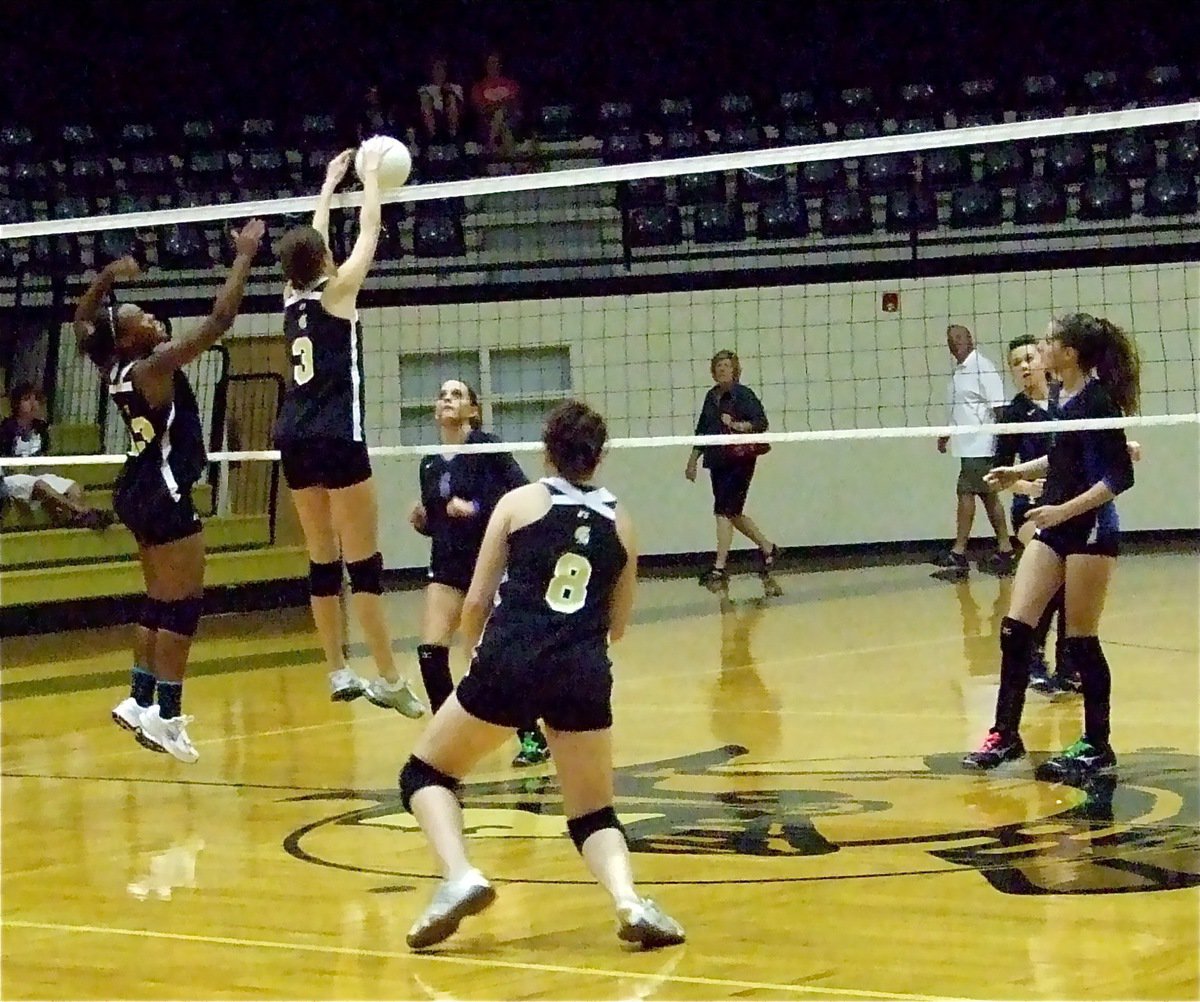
{"x": 1083, "y": 459}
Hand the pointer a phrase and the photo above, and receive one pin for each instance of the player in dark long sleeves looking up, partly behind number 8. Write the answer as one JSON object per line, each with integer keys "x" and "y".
{"x": 459, "y": 494}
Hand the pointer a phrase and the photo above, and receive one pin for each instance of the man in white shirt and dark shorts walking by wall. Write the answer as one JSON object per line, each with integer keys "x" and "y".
{"x": 976, "y": 392}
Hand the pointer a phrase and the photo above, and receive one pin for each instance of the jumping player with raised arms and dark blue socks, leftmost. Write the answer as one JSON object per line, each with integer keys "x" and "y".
{"x": 154, "y": 491}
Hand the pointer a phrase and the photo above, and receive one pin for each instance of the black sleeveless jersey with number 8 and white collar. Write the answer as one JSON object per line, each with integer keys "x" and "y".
{"x": 561, "y": 575}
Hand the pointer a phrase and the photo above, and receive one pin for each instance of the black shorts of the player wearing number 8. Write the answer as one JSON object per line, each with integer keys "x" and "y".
{"x": 573, "y": 693}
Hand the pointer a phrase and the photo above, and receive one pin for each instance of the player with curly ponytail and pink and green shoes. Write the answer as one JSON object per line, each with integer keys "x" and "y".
{"x": 1075, "y": 545}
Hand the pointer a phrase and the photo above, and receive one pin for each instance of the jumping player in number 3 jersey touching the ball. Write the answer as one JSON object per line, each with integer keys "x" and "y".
{"x": 322, "y": 442}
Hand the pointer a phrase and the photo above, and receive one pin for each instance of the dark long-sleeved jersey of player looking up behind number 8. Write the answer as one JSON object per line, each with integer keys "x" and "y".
{"x": 483, "y": 478}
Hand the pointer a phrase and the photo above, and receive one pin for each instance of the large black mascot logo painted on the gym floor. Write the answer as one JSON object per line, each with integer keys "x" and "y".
{"x": 772, "y": 823}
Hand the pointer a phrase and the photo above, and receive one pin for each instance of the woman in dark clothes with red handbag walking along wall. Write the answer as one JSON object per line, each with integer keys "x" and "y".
{"x": 731, "y": 409}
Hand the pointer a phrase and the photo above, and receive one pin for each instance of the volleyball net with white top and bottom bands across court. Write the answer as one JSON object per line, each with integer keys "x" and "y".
{"x": 832, "y": 267}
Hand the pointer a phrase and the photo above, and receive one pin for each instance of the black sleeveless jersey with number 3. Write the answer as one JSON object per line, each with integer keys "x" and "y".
{"x": 325, "y": 395}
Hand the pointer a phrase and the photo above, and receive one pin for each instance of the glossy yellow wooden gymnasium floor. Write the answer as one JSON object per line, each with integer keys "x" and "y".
{"x": 788, "y": 775}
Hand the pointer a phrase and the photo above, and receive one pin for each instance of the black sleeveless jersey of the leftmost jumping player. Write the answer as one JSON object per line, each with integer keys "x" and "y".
{"x": 166, "y": 443}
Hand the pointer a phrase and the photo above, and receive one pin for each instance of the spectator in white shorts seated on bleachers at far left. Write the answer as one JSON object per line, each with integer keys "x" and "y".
{"x": 26, "y": 434}
